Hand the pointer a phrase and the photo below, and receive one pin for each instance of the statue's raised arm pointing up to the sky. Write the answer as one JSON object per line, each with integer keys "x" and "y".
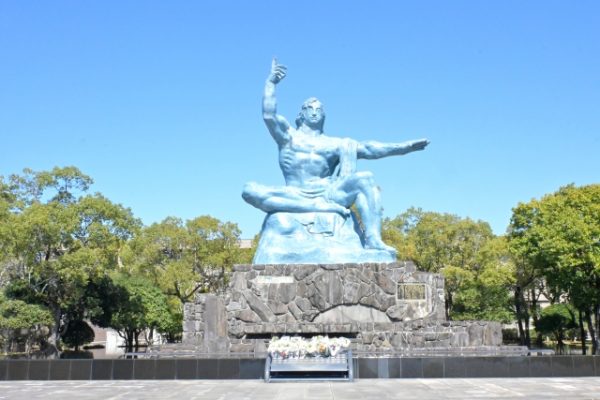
{"x": 277, "y": 125}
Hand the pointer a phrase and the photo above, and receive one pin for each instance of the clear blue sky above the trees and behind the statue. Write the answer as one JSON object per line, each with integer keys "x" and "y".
{"x": 160, "y": 102}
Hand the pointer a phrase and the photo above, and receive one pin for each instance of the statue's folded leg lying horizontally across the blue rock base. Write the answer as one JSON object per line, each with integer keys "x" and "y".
{"x": 288, "y": 199}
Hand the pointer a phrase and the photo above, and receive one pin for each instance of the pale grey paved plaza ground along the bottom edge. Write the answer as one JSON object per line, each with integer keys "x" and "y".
{"x": 364, "y": 389}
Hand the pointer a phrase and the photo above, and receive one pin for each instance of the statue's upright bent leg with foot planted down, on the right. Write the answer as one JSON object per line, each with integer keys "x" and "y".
{"x": 360, "y": 189}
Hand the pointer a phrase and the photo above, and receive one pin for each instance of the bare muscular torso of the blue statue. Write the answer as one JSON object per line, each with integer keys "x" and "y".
{"x": 307, "y": 160}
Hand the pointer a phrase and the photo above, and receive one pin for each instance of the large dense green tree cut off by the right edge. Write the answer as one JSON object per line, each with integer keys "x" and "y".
{"x": 558, "y": 237}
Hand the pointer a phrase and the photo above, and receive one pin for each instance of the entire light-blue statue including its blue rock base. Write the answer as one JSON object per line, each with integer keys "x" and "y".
{"x": 309, "y": 220}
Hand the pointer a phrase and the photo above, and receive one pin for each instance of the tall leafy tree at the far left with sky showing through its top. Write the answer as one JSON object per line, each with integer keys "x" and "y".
{"x": 62, "y": 239}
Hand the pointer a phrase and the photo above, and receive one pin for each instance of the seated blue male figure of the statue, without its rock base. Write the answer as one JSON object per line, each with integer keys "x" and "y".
{"x": 319, "y": 170}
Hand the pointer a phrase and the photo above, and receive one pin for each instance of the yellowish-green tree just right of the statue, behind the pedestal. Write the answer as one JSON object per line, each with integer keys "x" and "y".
{"x": 475, "y": 264}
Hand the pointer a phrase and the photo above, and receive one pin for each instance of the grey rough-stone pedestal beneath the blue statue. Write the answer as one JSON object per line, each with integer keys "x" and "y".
{"x": 381, "y": 307}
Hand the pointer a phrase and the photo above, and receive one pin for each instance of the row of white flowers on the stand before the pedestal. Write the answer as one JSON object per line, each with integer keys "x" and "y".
{"x": 297, "y": 347}
